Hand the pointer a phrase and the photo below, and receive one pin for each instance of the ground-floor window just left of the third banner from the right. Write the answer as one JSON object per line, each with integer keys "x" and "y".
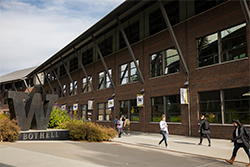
{"x": 103, "y": 112}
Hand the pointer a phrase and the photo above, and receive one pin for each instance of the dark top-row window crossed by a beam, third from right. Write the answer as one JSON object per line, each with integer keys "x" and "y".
{"x": 132, "y": 33}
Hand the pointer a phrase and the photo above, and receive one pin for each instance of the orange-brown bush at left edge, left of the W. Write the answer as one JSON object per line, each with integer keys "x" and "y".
{"x": 9, "y": 130}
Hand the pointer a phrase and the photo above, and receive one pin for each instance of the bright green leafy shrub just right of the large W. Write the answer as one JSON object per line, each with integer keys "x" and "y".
{"x": 57, "y": 117}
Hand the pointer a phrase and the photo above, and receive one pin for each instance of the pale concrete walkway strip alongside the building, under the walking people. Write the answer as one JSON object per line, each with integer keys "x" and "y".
{"x": 221, "y": 149}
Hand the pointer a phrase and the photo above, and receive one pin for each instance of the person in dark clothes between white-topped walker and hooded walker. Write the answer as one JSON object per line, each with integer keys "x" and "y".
{"x": 204, "y": 129}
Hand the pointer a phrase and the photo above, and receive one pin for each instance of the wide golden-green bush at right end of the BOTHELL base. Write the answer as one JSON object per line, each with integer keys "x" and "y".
{"x": 87, "y": 131}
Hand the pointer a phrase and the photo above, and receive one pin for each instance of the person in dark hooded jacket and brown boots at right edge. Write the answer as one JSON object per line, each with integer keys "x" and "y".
{"x": 240, "y": 139}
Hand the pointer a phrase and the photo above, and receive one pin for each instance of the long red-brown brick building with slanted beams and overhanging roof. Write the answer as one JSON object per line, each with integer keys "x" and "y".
{"x": 155, "y": 48}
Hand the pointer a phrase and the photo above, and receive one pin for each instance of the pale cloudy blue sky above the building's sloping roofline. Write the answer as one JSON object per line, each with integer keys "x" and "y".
{"x": 31, "y": 31}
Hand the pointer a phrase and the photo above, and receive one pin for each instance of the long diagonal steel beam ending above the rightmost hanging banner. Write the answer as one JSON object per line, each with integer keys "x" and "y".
{"x": 172, "y": 34}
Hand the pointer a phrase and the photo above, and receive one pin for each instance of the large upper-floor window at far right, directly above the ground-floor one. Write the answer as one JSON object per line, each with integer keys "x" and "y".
{"x": 225, "y": 45}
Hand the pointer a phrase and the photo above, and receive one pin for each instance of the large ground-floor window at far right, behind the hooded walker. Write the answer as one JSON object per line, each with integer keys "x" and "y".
{"x": 226, "y": 105}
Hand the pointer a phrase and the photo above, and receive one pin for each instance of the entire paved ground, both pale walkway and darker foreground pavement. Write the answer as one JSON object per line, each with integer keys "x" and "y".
{"x": 137, "y": 149}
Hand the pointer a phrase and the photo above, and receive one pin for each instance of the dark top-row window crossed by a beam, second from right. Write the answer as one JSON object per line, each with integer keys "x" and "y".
{"x": 156, "y": 20}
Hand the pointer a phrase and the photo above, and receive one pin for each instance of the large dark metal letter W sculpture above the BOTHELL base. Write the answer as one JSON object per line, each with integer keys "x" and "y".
{"x": 31, "y": 109}
